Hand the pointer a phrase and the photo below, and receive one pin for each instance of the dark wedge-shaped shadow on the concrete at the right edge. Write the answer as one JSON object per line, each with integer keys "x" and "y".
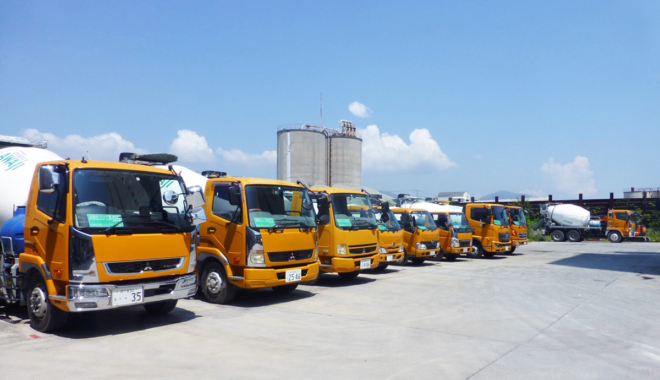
{"x": 634, "y": 262}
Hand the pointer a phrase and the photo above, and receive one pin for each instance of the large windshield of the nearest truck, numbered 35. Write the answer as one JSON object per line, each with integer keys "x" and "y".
{"x": 131, "y": 201}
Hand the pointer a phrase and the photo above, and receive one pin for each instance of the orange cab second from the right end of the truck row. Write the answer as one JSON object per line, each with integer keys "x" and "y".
{"x": 490, "y": 228}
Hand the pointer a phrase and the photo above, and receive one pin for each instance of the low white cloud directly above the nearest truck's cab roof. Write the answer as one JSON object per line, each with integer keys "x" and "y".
{"x": 101, "y": 147}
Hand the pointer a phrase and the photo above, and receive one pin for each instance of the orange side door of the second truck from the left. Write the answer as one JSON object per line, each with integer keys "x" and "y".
{"x": 225, "y": 228}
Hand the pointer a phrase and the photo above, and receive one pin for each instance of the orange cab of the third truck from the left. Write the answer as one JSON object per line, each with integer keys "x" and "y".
{"x": 348, "y": 240}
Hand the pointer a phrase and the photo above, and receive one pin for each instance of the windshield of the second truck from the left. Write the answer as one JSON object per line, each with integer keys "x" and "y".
{"x": 278, "y": 206}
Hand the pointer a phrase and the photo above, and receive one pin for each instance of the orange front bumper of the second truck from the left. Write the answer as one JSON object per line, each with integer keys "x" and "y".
{"x": 257, "y": 278}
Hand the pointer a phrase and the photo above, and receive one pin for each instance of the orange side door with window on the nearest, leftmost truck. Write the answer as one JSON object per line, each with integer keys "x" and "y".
{"x": 47, "y": 233}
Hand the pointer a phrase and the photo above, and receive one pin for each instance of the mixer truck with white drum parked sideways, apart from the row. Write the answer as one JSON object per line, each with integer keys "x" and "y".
{"x": 574, "y": 223}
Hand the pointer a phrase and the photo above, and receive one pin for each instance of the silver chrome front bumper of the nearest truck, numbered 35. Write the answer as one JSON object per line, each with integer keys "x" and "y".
{"x": 171, "y": 289}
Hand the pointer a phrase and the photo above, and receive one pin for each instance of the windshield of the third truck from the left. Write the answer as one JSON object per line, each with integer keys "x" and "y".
{"x": 353, "y": 211}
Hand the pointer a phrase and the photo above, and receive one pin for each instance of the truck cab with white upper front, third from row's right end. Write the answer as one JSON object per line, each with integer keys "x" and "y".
{"x": 454, "y": 232}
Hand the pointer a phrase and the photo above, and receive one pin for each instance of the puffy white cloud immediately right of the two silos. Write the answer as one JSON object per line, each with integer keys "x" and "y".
{"x": 385, "y": 152}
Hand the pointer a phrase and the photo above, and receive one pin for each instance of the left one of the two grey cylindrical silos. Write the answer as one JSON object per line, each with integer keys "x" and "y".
{"x": 302, "y": 154}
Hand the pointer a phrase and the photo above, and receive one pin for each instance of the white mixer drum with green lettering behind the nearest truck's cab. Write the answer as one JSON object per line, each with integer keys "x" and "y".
{"x": 17, "y": 165}
